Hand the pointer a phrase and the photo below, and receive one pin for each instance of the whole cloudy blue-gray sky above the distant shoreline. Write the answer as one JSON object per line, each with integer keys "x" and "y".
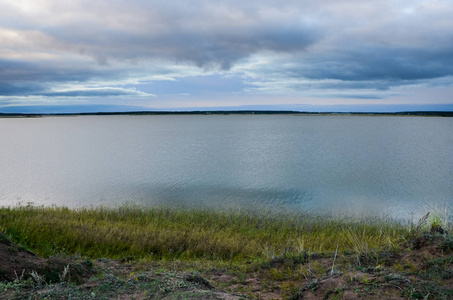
{"x": 126, "y": 55}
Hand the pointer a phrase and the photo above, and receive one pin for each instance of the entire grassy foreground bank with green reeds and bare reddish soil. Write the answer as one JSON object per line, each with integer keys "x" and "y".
{"x": 172, "y": 253}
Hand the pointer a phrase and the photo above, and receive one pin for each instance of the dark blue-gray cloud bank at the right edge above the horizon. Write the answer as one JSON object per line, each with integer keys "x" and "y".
{"x": 383, "y": 63}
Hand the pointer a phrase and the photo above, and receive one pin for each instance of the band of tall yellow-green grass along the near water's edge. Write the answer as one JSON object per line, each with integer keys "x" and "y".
{"x": 165, "y": 233}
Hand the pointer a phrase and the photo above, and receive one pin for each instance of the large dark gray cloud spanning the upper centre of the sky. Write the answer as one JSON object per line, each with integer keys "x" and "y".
{"x": 205, "y": 45}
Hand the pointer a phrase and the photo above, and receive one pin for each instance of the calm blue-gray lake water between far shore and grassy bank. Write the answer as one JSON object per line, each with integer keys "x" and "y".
{"x": 388, "y": 166}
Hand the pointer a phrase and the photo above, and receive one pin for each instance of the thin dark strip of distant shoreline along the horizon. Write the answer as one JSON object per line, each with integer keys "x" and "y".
{"x": 234, "y": 112}
